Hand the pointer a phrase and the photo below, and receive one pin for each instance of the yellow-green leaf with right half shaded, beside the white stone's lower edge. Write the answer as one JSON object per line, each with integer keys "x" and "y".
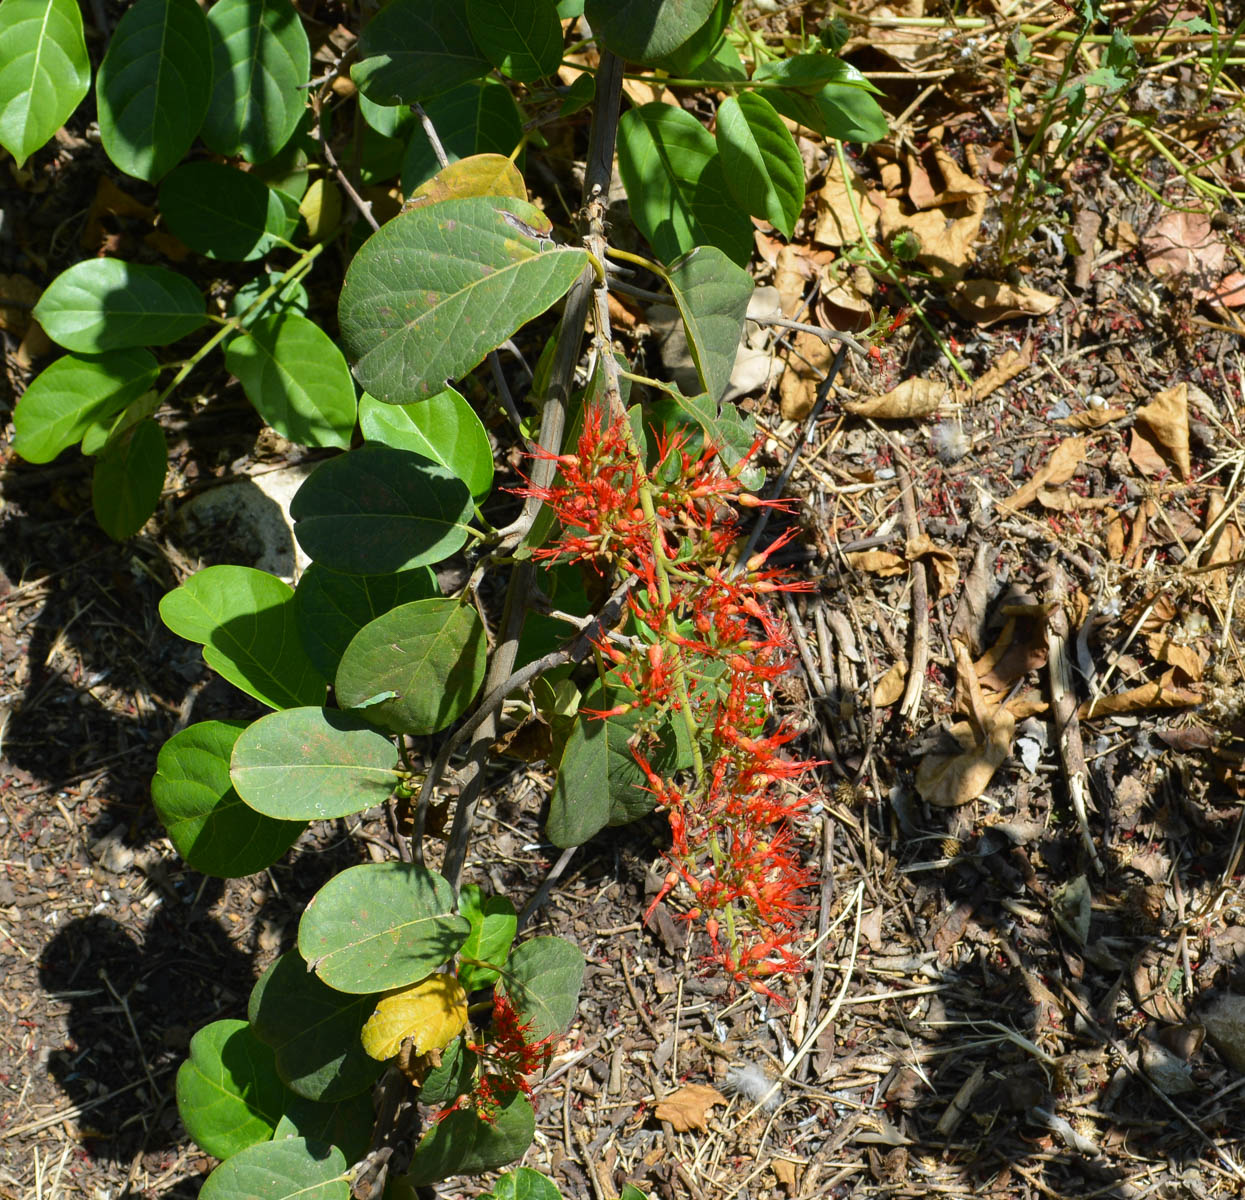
{"x": 246, "y": 622}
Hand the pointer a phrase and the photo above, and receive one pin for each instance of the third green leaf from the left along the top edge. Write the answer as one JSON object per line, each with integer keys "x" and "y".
{"x": 260, "y": 59}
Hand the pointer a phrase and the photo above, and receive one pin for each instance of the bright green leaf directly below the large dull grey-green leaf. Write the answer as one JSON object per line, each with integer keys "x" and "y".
{"x": 444, "y": 428}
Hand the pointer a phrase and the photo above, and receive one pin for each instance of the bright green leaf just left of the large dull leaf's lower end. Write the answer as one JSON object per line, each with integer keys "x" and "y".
{"x": 297, "y": 379}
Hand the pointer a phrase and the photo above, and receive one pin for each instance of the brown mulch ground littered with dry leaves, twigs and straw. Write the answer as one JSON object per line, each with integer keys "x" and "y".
{"x": 1007, "y": 998}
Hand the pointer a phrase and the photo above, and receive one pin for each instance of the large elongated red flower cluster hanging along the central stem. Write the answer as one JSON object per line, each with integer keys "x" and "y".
{"x": 709, "y": 649}
